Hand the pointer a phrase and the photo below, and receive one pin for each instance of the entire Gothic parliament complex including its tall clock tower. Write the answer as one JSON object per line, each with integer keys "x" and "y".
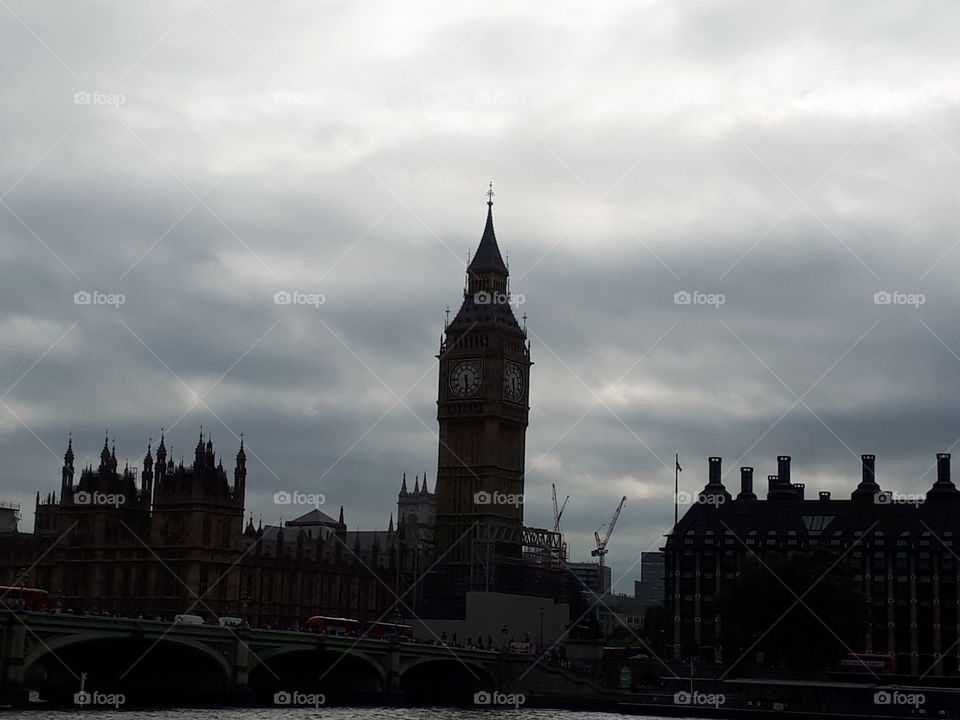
{"x": 169, "y": 538}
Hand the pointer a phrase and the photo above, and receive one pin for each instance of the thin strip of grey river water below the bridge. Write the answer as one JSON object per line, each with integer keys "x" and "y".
{"x": 343, "y": 713}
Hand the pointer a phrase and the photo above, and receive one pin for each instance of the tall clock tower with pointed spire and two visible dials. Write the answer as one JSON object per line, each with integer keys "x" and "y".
{"x": 482, "y": 409}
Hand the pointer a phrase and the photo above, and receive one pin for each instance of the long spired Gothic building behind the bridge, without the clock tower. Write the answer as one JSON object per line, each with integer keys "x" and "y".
{"x": 175, "y": 543}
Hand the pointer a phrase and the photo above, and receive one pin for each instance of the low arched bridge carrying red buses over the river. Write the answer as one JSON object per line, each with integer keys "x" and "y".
{"x": 150, "y": 659}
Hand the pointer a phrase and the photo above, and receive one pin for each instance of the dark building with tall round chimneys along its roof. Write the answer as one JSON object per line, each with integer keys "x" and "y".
{"x": 898, "y": 549}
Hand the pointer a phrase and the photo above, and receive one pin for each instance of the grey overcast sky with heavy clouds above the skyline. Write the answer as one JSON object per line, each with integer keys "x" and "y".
{"x": 786, "y": 160}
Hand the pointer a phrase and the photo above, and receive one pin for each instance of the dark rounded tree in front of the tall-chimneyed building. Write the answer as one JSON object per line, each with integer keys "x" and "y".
{"x": 760, "y": 614}
